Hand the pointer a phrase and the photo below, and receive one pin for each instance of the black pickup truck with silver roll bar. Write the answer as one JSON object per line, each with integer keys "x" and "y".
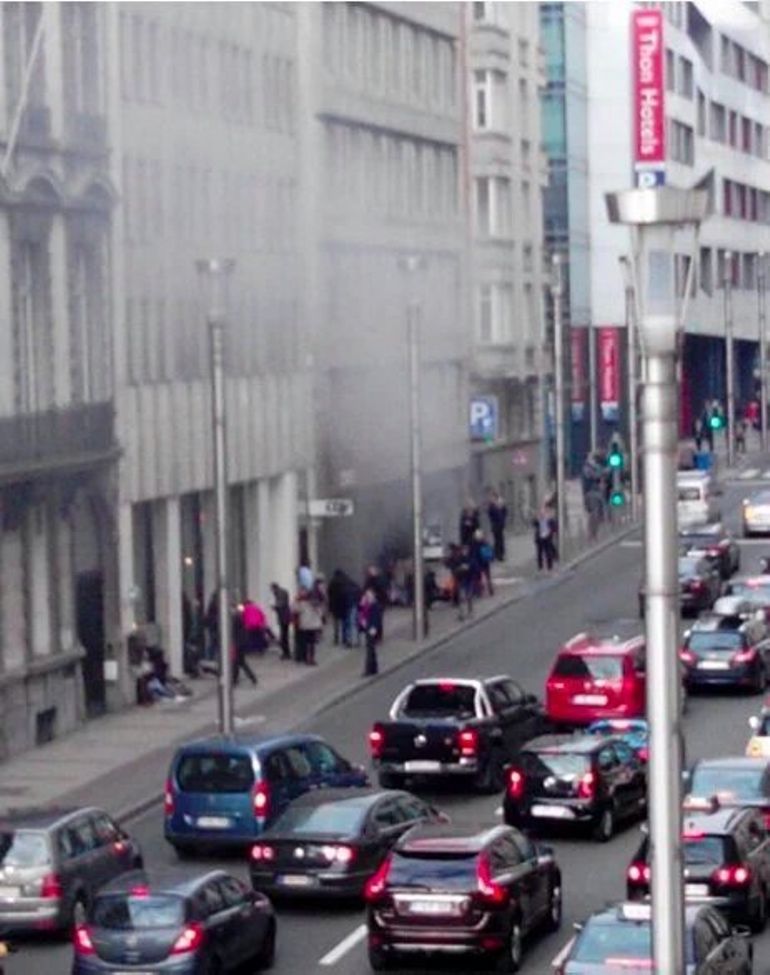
{"x": 455, "y": 727}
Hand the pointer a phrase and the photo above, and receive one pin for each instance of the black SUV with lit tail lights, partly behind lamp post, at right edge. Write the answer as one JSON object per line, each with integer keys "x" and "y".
{"x": 727, "y": 863}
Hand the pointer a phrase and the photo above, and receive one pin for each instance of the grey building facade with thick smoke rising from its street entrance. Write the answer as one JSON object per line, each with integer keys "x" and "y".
{"x": 382, "y": 115}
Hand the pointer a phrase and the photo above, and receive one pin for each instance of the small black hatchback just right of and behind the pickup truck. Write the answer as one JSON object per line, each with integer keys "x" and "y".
{"x": 575, "y": 779}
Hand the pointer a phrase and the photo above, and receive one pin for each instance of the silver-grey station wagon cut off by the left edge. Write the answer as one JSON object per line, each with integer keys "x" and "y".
{"x": 53, "y": 862}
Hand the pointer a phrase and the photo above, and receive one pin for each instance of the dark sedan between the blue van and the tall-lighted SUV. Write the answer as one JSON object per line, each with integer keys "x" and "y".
{"x": 329, "y": 842}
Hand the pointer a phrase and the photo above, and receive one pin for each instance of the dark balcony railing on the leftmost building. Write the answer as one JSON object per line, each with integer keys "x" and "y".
{"x": 36, "y": 444}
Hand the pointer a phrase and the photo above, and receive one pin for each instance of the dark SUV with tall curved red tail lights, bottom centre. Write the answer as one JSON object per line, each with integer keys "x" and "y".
{"x": 459, "y": 891}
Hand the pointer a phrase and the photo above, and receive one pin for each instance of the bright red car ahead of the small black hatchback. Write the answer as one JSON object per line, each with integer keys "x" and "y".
{"x": 597, "y": 677}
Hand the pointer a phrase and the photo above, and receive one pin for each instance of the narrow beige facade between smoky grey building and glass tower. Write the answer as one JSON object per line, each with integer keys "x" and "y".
{"x": 510, "y": 359}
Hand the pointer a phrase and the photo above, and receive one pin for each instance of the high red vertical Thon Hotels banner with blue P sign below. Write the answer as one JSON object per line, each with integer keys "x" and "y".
{"x": 649, "y": 94}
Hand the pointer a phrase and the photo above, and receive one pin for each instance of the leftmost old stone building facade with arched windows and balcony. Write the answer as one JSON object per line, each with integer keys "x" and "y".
{"x": 58, "y": 598}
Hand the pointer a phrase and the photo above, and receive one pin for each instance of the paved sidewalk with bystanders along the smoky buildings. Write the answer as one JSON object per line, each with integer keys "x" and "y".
{"x": 119, "y": 761}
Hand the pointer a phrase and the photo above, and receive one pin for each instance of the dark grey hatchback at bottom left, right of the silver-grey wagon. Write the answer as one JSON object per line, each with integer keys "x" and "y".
{"x": 174, "y": 923}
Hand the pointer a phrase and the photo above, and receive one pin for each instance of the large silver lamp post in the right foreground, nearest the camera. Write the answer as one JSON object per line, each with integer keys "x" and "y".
{"x": 657, "y": 217}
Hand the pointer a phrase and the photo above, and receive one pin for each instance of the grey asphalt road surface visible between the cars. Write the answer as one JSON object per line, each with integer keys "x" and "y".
{"x": 520, "y": 641}
